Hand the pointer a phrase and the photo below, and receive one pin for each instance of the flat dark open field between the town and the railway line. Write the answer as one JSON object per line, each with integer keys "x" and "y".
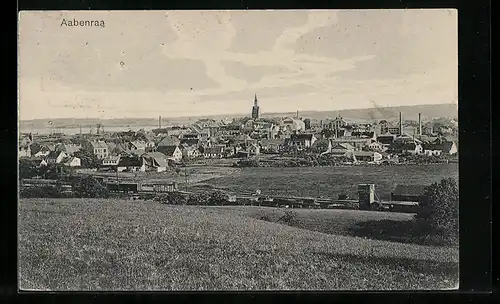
{"x": 331, "y": 181}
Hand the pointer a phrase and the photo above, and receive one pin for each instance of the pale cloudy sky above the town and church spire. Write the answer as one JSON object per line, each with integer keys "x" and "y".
{"x": 186, "y": 63}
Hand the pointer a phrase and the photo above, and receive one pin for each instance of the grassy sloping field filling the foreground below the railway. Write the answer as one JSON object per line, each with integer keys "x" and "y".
{"x": 77, "y": 244}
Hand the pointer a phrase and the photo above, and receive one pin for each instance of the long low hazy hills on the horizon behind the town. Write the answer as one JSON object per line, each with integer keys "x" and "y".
{"x": 388, "y": 113}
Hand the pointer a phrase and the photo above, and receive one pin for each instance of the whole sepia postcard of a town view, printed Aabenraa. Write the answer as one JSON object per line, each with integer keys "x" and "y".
{"x": 238, "y": 150}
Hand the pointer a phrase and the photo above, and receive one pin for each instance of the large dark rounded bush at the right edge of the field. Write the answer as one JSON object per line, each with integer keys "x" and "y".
{"x": 440, "y": 208}
